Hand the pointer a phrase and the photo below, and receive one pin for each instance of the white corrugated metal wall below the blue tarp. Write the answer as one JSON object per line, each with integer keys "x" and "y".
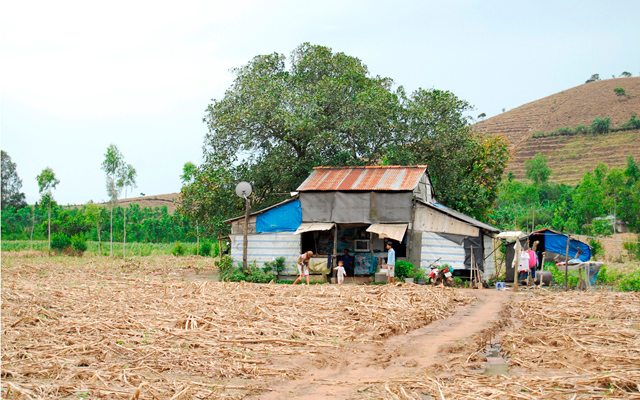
{"x": 267, "y": 247}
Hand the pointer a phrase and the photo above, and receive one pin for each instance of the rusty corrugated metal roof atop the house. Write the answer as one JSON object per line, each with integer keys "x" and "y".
{"x": 388, "y": 178}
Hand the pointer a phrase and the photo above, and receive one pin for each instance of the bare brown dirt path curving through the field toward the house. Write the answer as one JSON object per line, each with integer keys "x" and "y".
{"x": 344, "y": 371}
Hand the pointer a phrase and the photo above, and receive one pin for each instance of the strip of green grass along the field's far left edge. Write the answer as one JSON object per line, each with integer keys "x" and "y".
{"x": 133, "y": 249}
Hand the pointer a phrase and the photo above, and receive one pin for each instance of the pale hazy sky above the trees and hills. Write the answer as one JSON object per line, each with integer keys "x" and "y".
{"x": 77, "y": 76}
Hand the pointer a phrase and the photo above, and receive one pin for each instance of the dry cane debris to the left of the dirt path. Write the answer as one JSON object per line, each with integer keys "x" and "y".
{"x": 95, "y": 327}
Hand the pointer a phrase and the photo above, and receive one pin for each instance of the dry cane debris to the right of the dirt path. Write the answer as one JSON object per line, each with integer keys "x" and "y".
{"x": 569, "y": 345}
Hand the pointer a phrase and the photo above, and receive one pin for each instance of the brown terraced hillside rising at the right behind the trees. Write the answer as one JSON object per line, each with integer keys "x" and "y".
{"x": 570, "y": 157}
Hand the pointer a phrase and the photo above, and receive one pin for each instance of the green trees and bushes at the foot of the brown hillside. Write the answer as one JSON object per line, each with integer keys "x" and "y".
{"x": 537, "y": 203}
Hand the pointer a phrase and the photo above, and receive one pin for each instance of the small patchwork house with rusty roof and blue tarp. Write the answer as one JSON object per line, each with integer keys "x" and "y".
{"x": 353, "y": 212}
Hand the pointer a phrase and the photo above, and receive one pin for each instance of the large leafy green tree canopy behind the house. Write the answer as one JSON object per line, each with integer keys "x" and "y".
{"x": 281, "y": 117}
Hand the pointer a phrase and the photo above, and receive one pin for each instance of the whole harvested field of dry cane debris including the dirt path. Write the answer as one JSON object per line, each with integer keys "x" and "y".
{"x": 162, "y": 328}
